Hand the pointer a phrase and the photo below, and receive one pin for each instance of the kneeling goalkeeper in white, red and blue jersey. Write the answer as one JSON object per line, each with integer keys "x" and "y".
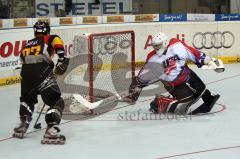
{"x": 168, "y": 63}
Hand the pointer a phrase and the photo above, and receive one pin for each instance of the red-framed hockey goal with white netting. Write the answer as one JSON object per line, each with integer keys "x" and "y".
{"x": 101, "y": 65}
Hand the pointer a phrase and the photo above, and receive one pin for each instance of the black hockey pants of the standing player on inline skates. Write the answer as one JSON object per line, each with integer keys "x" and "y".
{"x": 51, "y": 96}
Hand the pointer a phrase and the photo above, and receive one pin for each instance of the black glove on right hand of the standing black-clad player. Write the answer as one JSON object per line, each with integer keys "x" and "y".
{"x": 61, "y": 66}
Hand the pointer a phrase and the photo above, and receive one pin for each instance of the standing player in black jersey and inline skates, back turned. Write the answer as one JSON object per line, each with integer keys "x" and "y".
{"x": 38, "y": 79}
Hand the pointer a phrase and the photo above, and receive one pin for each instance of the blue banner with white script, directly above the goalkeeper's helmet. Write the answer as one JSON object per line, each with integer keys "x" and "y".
{"x": 172, "y": 17}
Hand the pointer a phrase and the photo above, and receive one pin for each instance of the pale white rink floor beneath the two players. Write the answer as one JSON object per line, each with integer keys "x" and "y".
{"x": 213, "y": 136}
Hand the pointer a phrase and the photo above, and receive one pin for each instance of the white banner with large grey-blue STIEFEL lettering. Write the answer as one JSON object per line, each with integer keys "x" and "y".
{"x": 82, "y": 7}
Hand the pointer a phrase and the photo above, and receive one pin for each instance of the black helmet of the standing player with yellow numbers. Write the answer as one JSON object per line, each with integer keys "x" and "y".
{"x": 41, "y": 27}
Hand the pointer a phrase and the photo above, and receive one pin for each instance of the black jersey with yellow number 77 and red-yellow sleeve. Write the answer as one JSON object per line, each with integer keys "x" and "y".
{"x": 37, "y": 56}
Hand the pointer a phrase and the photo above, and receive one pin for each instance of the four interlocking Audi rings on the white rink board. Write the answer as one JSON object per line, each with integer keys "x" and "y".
{"x": 217, "y": 40}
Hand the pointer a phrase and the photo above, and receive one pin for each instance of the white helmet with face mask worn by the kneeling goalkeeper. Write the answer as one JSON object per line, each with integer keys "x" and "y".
{"x": 160, "y": 43}
